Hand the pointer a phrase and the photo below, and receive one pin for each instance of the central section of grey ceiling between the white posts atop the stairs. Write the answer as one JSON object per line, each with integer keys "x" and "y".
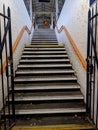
{"x": 43, "y": 10}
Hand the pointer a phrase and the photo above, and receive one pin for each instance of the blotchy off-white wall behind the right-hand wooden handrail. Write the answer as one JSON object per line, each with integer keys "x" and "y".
{"x": 74, "y": 16}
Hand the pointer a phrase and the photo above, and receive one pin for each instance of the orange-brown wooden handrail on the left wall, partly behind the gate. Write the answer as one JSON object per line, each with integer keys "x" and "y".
{"x": 25, "y": 28}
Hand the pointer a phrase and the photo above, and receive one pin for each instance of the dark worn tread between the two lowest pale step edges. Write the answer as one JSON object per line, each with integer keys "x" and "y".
{"x": 49, "y": 105}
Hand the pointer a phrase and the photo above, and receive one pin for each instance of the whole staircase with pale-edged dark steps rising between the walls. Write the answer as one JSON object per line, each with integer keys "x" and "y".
{"x": 47, "y": 92}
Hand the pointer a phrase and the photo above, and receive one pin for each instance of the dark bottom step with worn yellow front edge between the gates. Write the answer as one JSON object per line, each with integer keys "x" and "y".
{"x": 61, "y": 122}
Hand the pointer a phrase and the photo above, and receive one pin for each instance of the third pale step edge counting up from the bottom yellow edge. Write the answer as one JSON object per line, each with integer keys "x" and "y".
{"x": 44, "y": 87}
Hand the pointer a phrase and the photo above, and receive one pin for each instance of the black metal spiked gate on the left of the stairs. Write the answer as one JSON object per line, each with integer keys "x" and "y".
{"x": 6, "y": 47}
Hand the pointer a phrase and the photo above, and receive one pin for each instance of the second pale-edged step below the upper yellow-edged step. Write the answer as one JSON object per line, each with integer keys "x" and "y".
{"x": 45, "y": 52}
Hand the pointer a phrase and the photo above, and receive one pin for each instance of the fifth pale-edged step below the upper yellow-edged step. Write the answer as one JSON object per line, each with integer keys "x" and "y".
{"x": 44, "y": 66}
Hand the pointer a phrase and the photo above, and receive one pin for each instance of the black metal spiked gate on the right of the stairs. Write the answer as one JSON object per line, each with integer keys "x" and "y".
{"x": 92, "y": 65}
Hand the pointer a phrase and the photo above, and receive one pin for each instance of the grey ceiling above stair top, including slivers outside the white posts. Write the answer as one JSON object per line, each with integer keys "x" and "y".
{"x": 43, "y": 10}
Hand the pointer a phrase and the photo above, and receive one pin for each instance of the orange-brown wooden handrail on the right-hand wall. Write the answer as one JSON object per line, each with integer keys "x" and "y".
{"x": 73, "y": 44}
